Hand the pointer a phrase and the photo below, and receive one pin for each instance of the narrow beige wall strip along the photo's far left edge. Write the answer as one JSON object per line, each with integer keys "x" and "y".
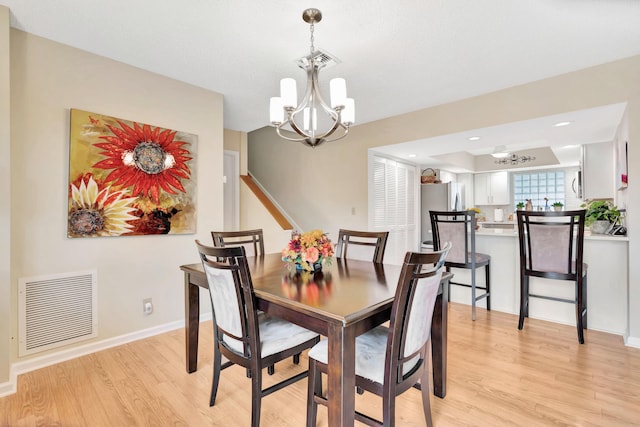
{"x": 5, "y": 195}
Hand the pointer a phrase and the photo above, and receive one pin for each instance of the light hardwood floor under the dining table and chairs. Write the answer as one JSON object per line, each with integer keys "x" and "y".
{"x": 497, "y": 376}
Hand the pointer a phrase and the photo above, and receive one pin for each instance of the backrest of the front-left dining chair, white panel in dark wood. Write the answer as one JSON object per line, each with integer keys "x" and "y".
{"x": 232, "y": 298}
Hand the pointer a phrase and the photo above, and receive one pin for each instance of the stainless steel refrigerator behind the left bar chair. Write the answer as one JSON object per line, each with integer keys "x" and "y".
{"x": 438, "y": 197}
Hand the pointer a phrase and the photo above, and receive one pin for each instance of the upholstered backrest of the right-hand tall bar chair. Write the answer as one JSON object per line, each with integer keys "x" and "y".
{"x": 551, "y": 243}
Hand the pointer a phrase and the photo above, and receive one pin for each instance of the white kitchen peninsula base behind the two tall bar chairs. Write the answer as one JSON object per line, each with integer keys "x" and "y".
{"x": 607, "y": 296}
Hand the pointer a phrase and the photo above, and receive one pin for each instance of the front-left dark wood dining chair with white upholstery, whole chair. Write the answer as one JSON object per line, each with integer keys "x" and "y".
{"x": 242, "y": 334}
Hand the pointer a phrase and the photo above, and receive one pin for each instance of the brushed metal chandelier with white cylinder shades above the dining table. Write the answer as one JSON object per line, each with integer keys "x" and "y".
{"x": 303, "y": 117}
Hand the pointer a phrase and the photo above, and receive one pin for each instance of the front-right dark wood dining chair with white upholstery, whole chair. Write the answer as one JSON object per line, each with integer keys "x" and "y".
{"x": 391, "y": 360}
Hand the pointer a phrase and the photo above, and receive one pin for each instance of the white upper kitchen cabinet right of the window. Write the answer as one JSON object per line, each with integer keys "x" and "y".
{"x": 597, "y": 171}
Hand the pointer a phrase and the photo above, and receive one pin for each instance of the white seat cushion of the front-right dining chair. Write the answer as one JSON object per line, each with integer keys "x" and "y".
{"x": 371, "y": 348}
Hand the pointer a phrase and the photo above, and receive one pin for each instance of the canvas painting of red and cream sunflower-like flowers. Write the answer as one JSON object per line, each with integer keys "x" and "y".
{"x": 129, "y": 178}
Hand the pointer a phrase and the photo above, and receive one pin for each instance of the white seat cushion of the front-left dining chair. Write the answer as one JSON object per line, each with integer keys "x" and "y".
{"x": 275, "y": 335}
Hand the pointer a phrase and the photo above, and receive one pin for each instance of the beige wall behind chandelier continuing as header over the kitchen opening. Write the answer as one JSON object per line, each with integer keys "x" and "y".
{"x": 320, "y": 187}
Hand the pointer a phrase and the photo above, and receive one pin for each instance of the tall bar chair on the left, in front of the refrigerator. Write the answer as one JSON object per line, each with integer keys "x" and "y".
{"x": 458, "y": 227}
